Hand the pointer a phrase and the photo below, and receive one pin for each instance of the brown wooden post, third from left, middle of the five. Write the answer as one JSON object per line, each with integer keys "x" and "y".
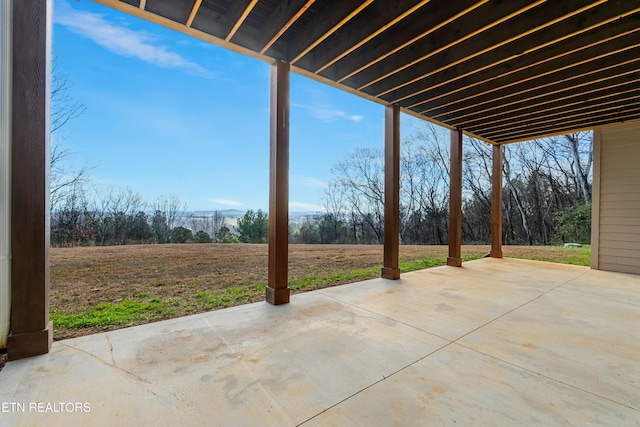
{"x": 390, "y": 268}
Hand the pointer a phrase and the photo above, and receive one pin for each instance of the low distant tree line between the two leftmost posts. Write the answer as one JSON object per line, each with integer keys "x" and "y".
{"x": 123, "y": 217}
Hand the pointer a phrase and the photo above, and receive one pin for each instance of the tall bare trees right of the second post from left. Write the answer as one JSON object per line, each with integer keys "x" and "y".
{"x": 546, "y": 193}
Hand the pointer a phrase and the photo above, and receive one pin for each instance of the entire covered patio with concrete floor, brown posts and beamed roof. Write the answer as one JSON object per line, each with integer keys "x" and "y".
{"x": 493, "y": 341}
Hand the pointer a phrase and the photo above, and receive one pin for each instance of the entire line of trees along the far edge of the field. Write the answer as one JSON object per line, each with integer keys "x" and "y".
{"x": 546, "y": 200}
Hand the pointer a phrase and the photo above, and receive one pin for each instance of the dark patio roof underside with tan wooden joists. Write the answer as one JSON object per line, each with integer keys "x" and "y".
{"x": 503, "y": 71}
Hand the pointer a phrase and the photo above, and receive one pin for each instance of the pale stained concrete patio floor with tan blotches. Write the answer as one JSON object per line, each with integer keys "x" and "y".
{"x": 496, "y": 342}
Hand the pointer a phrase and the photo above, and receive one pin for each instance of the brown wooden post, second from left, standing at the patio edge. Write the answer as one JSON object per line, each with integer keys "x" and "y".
{"x": 277, "y": 286}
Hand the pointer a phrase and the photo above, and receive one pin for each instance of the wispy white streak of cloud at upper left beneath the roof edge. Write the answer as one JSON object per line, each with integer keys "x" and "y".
{"x": 123, "y": 41}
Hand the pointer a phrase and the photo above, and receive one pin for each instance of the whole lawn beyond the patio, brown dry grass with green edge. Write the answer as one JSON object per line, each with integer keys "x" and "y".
{"x": 103, "y": 288}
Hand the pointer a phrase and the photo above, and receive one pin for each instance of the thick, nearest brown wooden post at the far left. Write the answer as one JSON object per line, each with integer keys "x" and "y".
{"x": 31, "y": 330}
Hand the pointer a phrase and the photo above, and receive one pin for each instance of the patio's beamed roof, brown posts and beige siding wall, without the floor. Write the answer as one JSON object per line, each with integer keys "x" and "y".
{"x": 502, "y": 72}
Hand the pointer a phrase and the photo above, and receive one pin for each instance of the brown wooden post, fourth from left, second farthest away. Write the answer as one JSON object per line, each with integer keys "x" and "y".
{"x": 455, "y": 200}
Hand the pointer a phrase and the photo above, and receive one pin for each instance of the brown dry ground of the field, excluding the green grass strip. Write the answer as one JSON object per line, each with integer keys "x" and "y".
{"x": 87, "y": 276}
